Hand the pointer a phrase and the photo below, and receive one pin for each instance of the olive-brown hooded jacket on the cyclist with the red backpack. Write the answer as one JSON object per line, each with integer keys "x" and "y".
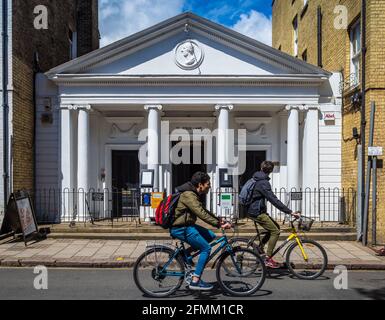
{"x": 190, "y": 207}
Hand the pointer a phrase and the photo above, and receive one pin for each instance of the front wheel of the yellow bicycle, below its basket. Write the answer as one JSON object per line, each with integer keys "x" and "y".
{"x": 313, "y": 267}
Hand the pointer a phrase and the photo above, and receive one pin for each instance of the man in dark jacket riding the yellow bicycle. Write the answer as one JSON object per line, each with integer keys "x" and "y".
{"x": 258, "y": 211}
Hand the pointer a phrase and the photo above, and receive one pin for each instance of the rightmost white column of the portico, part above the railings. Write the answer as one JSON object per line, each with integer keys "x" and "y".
{"x": 311, "y": 149}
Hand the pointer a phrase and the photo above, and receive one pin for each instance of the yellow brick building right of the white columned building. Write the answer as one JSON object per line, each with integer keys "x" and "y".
{"x": 328, "y": 33}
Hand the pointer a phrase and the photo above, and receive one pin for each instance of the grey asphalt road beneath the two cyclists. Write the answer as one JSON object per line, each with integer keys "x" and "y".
{"x": 95, "y": 284}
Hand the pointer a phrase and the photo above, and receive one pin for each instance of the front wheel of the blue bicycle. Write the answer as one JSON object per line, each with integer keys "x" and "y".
{"x": 241, "y": 272}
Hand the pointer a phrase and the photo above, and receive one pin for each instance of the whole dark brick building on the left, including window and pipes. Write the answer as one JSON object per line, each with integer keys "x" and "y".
{"x": 72, "y": 31}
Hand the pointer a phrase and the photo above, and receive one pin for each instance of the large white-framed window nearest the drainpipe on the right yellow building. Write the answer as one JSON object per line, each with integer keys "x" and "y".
{"x": 355, "y": 44}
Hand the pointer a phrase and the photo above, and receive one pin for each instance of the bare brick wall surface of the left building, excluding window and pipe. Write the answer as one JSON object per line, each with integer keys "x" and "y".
{"x": 52, "y": 46}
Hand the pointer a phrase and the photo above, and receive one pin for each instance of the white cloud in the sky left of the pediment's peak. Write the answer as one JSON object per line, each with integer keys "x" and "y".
{"x": 121, "y": 18}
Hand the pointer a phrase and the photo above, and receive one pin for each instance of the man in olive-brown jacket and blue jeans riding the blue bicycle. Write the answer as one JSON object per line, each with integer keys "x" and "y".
{"x": 184, "y": 227}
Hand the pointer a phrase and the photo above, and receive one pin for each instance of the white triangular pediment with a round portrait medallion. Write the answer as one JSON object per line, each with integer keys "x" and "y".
{"x": 187, "y": 45}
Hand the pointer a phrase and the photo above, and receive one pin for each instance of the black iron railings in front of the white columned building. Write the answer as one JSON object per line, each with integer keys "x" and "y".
{"x": 62, "y": 206}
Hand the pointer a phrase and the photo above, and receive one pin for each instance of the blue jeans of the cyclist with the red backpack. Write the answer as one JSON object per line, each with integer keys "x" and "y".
{"x": 199, "y": 238}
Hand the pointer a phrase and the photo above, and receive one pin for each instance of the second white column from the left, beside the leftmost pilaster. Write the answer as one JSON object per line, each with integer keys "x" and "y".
{"x": 83, "y": 160}
